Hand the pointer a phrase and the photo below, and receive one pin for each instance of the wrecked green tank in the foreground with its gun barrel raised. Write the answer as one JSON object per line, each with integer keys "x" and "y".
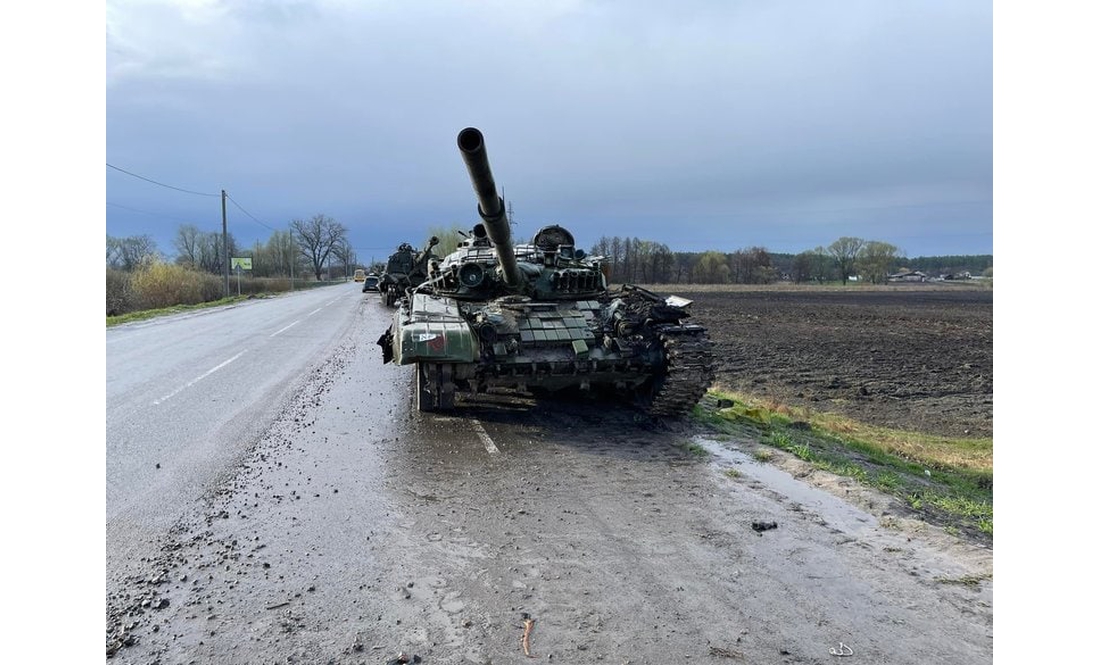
{"x": 541, "y": 318}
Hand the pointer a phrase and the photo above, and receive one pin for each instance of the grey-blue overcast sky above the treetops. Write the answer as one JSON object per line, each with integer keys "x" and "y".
{"x": 703, "y": 125}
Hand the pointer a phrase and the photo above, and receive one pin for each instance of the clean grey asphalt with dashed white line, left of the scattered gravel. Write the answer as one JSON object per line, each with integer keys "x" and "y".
{"x": 189, "y": 395}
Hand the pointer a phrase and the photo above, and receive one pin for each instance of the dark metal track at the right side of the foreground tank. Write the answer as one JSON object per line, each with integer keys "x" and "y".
{"x": 689, "y": 372}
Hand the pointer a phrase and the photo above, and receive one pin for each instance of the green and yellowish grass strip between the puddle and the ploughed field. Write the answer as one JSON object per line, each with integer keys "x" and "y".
{"x": 948, "y": 482}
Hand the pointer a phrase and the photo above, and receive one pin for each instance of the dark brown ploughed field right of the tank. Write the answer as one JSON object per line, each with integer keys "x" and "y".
{"x": 912, "y": 358}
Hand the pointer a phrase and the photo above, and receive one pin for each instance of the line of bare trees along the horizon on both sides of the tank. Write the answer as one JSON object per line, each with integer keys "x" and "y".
{"x": 320, "y": 246}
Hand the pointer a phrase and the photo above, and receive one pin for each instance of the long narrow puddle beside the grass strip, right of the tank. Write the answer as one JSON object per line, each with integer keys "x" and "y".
{"x": 834, "y": 511}
